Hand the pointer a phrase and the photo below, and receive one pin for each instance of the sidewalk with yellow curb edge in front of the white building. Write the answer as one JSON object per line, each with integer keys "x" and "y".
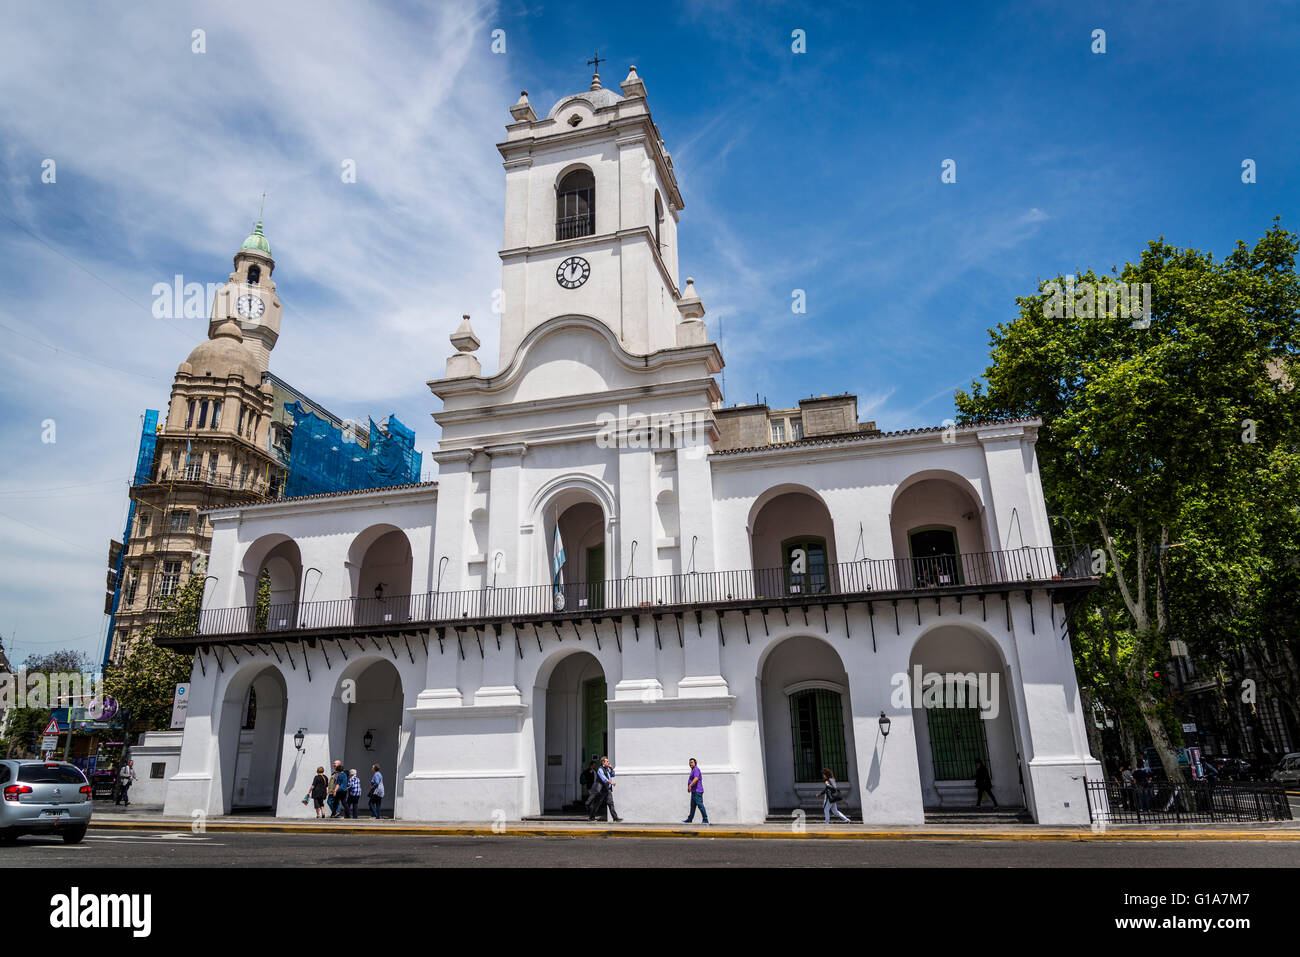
{"x": 138, "y": 819}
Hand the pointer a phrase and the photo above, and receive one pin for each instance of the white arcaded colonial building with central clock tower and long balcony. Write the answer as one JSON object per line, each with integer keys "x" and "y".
{"x": 761, "y": 590}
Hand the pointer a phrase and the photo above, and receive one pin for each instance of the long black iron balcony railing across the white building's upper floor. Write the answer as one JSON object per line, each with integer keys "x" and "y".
{"x": 1022, "y": 568}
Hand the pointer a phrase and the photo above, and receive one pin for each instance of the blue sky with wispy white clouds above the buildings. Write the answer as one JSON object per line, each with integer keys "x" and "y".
{"x": 816, "y": 171}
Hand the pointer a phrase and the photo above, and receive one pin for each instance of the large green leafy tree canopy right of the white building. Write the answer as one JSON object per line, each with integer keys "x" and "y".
{"x": 1177, "y": 444}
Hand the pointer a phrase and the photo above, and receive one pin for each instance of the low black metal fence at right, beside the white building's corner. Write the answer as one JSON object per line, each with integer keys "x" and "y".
{"x": 1193, "y": 803}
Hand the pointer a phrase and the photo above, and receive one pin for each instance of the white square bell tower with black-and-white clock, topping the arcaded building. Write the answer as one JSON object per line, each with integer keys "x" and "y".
{"x": 592, "y": 207}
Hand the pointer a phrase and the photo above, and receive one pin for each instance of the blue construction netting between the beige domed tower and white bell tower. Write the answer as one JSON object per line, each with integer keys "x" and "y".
{"x": 326, "y": 458}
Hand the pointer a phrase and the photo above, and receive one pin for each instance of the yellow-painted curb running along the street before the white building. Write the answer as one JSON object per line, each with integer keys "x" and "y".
{"x": 723, "y": 834}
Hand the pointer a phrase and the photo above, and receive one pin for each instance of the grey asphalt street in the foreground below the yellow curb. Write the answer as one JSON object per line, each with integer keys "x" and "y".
{"x": 106, "y": 848}
